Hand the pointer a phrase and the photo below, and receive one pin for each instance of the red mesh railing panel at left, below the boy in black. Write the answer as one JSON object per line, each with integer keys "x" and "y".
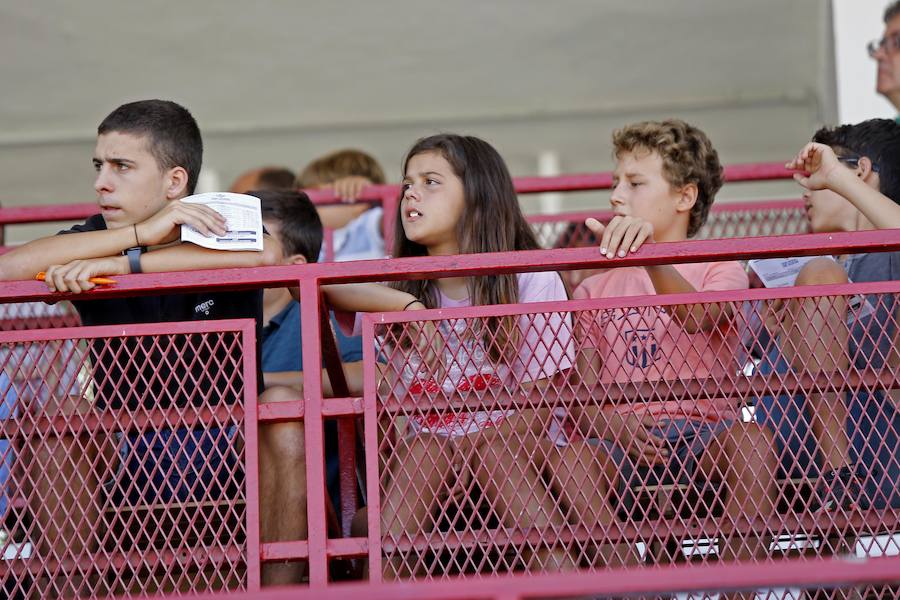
{"x": 106, "y": 489}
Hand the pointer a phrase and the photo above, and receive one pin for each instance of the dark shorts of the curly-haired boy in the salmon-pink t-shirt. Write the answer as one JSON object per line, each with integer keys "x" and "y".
{"x": 687, "y": 441}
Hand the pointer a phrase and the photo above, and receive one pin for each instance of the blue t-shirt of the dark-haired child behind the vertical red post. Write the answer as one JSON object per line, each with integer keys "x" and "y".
{"x": 281, "y": 342}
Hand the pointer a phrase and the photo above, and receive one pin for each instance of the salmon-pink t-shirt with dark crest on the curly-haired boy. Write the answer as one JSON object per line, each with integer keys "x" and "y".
{"x": 644, "y": 343}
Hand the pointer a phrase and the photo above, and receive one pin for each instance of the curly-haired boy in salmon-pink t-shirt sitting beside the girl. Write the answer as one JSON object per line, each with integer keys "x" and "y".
{"x": 665, "y": 180}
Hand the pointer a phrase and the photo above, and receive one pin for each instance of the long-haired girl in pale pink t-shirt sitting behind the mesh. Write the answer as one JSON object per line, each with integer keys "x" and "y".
{"x": 458, "y": 198}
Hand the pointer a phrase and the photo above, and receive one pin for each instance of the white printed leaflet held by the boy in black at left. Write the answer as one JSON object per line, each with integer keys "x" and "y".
{"x": 243, "y": 220}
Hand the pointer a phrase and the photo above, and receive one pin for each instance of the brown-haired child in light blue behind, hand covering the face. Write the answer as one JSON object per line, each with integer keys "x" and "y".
{"x": 358, "y": 233}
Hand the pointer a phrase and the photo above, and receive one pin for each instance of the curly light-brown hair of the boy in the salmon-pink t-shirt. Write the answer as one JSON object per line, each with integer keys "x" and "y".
{"x": 687, "y": 156}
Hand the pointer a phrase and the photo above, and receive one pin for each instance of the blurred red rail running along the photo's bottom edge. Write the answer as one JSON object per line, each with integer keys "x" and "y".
{"x": 667, "y": 579}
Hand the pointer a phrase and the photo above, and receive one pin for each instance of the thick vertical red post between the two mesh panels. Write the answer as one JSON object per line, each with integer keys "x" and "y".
{"x": 315, "y": 444}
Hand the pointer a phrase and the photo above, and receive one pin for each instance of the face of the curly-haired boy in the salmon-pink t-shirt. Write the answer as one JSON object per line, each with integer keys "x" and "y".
{"x": 640, "y": 189}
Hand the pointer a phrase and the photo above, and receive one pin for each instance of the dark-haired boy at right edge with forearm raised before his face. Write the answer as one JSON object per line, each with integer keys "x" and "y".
{"x": 851, "y": 440}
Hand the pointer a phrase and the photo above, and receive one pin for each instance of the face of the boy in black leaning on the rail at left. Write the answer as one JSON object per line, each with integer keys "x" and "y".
{"x": 130, "y": 185}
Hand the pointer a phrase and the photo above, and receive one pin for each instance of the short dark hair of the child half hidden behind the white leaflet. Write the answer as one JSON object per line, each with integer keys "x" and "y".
{"x": 300, "y": 229}
